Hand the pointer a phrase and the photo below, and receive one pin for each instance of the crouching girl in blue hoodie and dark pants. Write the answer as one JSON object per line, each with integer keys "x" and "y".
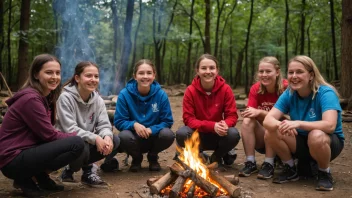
{"x": 144, "y": 118}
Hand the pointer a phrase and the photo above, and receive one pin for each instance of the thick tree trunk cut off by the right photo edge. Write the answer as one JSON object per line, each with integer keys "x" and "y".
{"x": 346, "y": 51}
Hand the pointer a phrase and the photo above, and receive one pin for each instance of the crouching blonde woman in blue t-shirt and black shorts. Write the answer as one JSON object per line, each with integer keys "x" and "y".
{"x": 314, "y": 133}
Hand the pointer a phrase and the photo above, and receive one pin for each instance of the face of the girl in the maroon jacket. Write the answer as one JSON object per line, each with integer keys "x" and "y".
{"x": 49, "y": 76}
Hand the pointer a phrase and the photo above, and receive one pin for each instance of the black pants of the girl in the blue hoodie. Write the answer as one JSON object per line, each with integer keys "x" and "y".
{"x": 135, "y": 146}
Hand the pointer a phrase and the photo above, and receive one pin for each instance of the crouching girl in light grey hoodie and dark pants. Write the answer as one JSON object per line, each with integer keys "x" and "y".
{"x": 81, "y": 109}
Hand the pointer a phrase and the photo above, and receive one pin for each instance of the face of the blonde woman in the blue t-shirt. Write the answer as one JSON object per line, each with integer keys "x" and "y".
{"x": 299, "y": 77}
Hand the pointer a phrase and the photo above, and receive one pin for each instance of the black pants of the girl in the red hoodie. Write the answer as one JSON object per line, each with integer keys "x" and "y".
{"x": 211, "y": 141}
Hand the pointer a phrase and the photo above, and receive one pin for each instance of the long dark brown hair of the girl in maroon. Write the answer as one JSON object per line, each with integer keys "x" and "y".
{"x": 34, "y": 83}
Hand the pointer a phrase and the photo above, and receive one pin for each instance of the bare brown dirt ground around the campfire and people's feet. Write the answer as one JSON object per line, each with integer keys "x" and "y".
{"x": 126, "y": 184}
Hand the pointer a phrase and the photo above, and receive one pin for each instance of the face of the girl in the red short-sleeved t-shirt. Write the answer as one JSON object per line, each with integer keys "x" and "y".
{"x": 267, "y": 74}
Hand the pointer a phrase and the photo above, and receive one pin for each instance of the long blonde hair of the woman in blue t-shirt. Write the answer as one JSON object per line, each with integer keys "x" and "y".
{"x": 318, "y": 79}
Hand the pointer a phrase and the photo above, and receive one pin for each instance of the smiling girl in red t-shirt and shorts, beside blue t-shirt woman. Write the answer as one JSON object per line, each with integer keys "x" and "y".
{"x": 262, "y": 97}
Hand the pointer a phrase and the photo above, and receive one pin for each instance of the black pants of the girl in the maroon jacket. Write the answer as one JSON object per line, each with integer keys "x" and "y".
{"x": 45, "y": 157}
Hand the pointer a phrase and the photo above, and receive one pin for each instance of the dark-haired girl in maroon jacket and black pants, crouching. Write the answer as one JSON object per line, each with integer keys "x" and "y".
{"x": 30, "y": 147}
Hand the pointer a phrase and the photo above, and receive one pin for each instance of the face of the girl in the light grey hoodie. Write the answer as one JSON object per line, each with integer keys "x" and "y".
{"x": 88, "y": 80}
